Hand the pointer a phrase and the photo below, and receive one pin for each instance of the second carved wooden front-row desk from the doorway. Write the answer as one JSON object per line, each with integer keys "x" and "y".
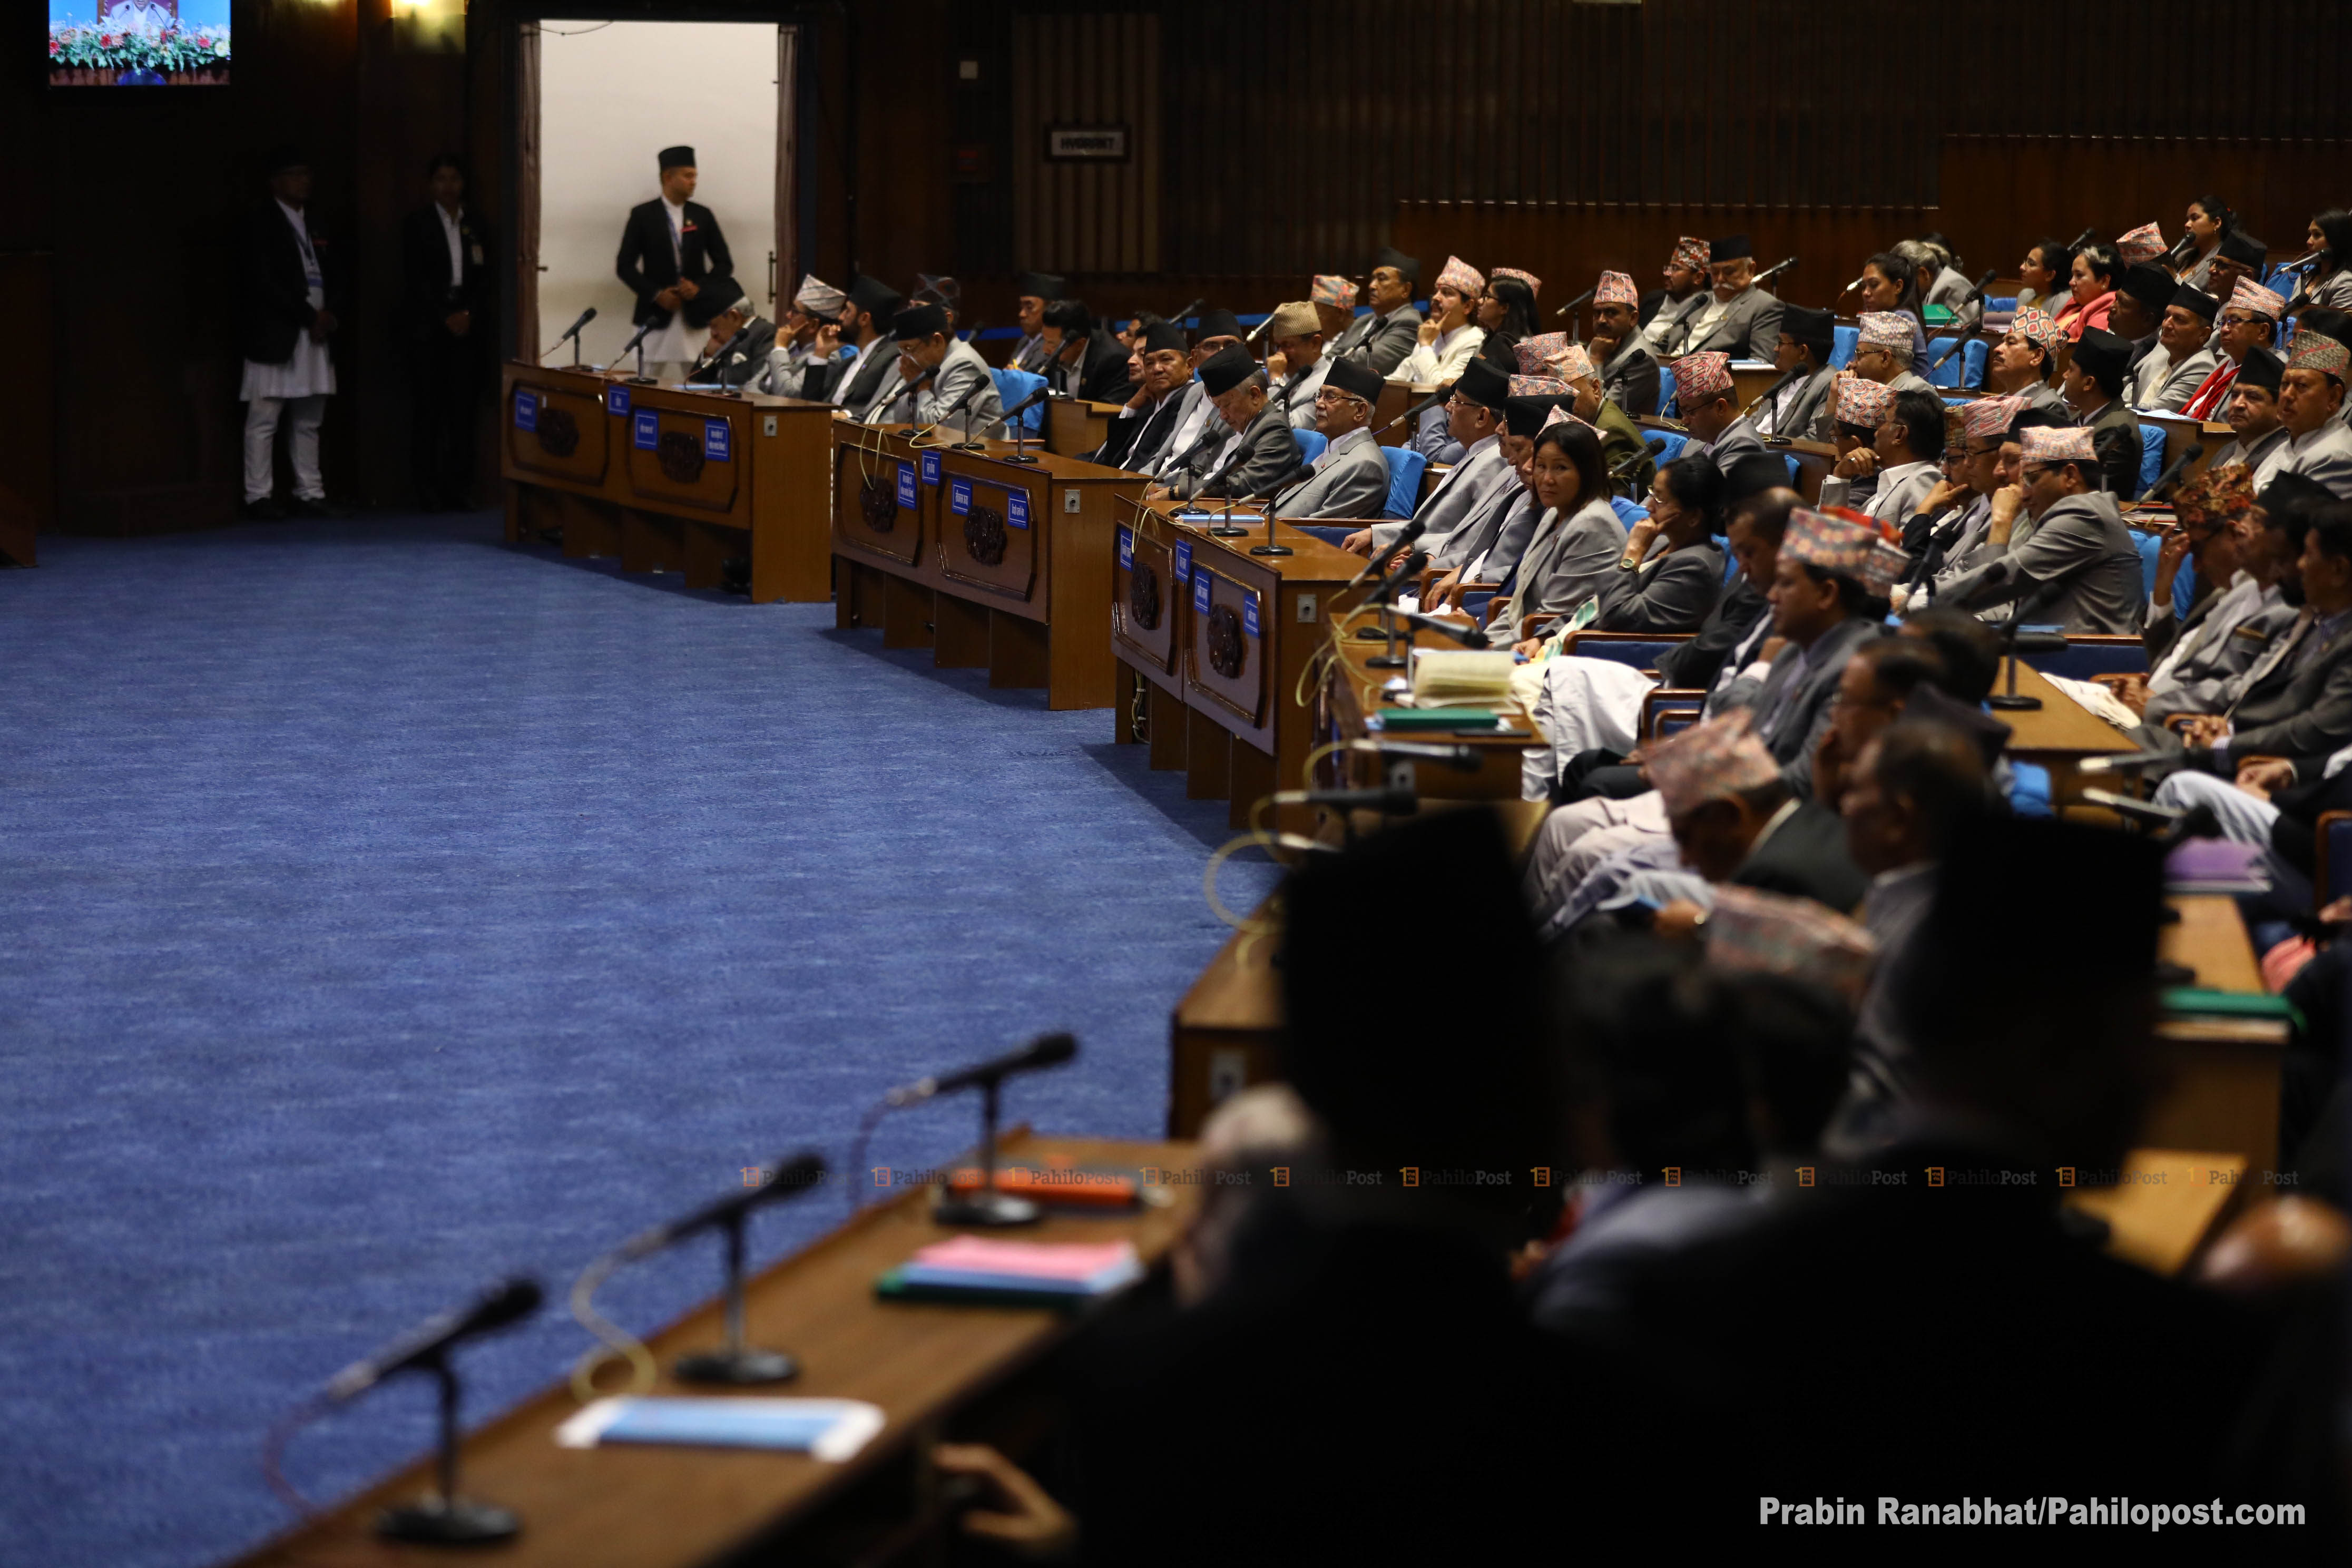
{"x": 982, "y": 561}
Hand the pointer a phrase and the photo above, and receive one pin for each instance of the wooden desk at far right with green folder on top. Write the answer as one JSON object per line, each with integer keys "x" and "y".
{"x": 2221, "y": 1076}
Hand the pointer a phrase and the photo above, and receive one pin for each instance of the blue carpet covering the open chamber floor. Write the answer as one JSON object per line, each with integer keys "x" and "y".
{"x": 389, "y": 911}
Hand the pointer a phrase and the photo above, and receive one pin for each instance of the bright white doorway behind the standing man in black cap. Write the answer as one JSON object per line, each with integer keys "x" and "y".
{"x": 610, "y": 98}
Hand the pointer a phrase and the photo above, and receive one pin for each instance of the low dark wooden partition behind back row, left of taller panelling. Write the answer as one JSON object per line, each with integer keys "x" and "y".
{"x": 1572, "y": 243}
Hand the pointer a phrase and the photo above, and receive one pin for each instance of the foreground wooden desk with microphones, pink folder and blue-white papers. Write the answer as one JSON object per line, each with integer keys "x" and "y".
{"x": 653, "y": 1508}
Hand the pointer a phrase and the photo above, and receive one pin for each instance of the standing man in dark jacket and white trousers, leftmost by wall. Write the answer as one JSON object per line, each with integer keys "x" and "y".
{"x": 288, "y": 323}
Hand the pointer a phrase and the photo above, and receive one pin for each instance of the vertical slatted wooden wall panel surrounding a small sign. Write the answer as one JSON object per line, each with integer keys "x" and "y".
{"x": 1085, "y": 72}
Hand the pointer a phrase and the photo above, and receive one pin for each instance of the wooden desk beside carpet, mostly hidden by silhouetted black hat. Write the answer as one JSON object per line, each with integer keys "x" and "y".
{"x": 1222, "y": 1036}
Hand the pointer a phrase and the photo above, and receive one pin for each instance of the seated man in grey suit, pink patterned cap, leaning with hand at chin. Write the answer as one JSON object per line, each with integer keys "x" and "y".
{"x": 2078, "y": 563}
